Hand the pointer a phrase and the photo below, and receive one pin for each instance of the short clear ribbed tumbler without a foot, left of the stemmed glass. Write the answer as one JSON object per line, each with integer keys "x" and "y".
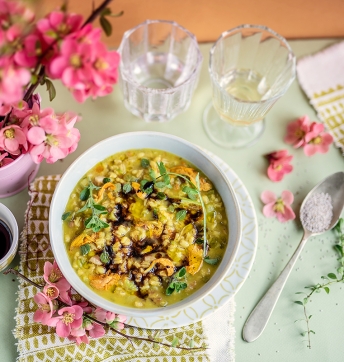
{"x": 159, "y": 69}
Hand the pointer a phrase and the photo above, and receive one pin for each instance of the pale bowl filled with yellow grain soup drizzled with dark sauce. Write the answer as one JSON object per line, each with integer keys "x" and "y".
{"x": 142, "y": 222}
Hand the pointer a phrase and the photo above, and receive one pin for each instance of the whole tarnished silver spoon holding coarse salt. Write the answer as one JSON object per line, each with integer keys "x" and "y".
{"x": 319, "y": 212}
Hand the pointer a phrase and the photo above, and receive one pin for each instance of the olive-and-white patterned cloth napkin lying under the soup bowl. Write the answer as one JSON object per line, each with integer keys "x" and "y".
{"x": 40, "y": 343}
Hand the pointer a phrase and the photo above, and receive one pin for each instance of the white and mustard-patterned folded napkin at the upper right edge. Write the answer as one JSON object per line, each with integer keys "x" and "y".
{"x": 322, "y": 78}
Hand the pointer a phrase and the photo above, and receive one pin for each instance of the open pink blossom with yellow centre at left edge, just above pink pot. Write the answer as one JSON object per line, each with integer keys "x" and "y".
{"x": 12, "y": 138}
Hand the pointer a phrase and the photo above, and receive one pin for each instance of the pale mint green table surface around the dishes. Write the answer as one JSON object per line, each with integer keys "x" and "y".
{"x": 281, "y": 341}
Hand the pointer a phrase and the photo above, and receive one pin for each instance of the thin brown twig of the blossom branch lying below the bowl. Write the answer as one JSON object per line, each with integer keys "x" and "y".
{"x": 90, "y": 317}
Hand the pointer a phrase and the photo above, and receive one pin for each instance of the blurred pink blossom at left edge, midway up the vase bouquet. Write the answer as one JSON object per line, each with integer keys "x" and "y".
{"x": 12, "y": 81}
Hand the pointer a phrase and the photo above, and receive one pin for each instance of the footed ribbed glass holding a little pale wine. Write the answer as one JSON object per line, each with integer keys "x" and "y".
{"x": 250, "y": 67}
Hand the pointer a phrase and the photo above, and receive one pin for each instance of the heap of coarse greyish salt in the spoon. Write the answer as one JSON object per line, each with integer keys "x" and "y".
{"x": 316, "y": 214}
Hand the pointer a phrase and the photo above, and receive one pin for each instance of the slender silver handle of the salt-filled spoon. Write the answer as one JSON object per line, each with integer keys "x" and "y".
{"x": 260, "y": 315}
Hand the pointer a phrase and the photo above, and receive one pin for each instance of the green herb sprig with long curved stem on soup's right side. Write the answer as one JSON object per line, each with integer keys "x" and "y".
{"x": 193, "y": 193}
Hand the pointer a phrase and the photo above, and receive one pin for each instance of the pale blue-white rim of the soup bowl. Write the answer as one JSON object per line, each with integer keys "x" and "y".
{"x": 97, "y": 299}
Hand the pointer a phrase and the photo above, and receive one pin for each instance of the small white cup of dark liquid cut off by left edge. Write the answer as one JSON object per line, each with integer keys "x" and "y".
{"x": 8, "y": 237}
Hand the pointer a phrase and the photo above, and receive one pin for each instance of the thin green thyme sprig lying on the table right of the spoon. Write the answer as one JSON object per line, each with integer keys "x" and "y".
{"x": 329, "y": 279}
